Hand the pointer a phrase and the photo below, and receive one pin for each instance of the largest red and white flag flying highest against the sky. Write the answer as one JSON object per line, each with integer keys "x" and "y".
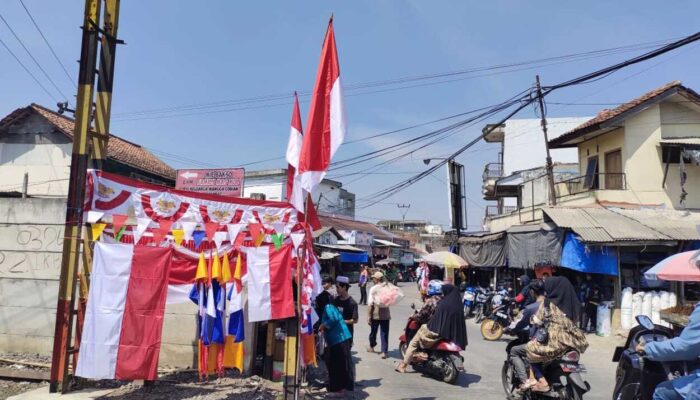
{"x": 326, "y": 125}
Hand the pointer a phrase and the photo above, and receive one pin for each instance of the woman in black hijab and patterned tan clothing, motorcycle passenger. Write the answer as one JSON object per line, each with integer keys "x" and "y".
{"x": 557, "y": 331}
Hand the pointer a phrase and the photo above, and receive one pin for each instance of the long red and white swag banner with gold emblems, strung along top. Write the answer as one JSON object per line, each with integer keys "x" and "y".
{"x": 112, "y": 194}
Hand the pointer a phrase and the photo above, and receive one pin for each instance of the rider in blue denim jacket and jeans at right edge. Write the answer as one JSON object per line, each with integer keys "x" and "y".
{"x": 685, "y": 347}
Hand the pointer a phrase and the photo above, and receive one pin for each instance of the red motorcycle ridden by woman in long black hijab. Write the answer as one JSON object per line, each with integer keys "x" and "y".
{"x": 442, "y": 361}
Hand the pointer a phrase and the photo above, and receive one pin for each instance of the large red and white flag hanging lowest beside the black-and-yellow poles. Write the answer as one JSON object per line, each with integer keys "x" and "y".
{"x": 124, "y": 317}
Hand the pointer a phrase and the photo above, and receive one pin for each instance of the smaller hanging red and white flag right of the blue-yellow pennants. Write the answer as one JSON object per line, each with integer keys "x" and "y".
{"x": 269, "y": 283}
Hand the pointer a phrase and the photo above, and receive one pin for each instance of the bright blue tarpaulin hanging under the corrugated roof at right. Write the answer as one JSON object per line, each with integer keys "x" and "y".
{"x": 589, "y": 259}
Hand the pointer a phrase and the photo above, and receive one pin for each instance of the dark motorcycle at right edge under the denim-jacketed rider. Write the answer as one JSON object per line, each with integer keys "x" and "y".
{"x": 637, "y": 377}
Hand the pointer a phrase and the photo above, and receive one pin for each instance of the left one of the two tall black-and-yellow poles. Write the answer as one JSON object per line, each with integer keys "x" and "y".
{"x": 76, "y": 195}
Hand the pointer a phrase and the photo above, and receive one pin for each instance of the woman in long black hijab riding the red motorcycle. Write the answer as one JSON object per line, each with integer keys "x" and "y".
{"x": 447, "y": 323}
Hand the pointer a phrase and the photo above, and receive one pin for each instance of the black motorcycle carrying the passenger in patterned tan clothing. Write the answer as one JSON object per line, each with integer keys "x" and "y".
{"x": 564, "y": 376}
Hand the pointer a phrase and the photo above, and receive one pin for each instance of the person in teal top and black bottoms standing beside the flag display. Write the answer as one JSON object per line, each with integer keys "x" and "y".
{"x": 338, "y": 358}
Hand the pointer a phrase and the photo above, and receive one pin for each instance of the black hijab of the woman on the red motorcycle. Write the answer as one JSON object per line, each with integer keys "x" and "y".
{"x": 448, "y": 320}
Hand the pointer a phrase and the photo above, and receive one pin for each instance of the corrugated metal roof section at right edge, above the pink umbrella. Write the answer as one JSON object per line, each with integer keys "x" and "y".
{"x": 677, "y": 225}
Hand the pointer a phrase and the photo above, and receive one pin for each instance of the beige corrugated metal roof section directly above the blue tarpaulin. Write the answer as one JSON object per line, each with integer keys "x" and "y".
{"x": 600, "y": 225}
